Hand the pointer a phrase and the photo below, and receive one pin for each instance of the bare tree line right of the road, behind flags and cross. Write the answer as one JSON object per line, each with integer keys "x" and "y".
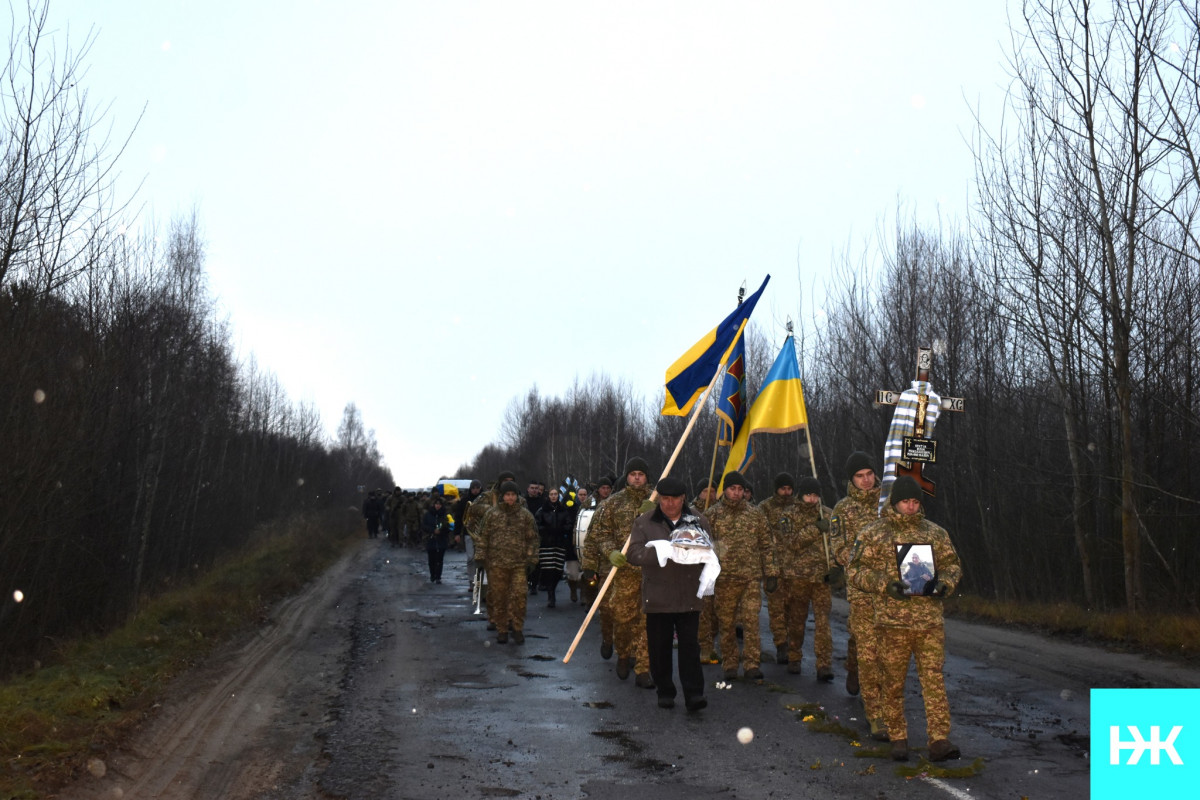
{"x": 1066, "y": 310}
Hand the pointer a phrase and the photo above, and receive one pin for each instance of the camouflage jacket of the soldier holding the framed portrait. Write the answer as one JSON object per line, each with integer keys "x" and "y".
{"x": 875, "y": 567}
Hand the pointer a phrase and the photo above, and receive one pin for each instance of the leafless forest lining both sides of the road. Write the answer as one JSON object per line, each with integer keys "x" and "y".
{"x": 1066, "y": 311}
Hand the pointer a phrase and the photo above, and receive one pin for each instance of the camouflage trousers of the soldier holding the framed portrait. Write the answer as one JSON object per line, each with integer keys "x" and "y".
{"x": 928, "y": 647}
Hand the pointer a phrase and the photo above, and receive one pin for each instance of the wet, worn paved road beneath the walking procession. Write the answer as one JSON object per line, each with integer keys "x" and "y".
{"x": 379, "y": 684}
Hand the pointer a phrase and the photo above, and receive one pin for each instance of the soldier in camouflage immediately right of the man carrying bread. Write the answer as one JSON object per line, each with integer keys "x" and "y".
{"x": 742, "y": 540}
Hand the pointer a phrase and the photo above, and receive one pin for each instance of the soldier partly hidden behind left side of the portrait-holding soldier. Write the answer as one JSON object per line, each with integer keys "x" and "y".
{"x": 851, "y": 516}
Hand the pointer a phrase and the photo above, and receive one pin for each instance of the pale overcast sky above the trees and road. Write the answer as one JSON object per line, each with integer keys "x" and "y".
{"x": 428, "y": 208}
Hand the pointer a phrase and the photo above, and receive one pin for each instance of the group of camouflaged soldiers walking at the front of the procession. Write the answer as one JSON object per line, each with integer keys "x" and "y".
{"x": 790, "y": 546}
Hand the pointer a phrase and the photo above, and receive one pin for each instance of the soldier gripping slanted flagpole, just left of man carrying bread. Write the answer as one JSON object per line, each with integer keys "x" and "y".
{"x": 611, "y": 527}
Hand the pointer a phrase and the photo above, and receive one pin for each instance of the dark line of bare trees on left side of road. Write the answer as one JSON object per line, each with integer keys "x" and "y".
{"x": 137, "y": 448}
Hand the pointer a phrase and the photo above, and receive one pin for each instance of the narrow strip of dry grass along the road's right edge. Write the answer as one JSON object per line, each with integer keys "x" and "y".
{"x": 1163, "y": 635}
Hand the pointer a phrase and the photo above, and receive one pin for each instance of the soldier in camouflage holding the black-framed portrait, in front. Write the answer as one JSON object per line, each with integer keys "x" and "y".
{"x": 909, "y": 627}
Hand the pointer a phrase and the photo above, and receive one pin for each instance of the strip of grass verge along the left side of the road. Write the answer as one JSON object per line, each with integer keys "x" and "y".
{"x": 55, "y": 719}
